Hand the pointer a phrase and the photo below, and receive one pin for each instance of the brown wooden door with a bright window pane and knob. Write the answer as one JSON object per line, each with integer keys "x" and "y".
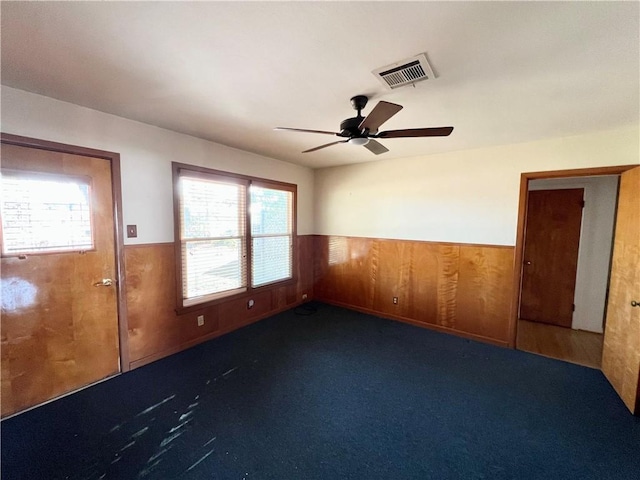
{"x": 59, "y": 331}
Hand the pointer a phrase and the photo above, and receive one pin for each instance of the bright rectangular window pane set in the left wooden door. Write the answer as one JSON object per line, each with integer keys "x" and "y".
{"x": 44, "y": 213}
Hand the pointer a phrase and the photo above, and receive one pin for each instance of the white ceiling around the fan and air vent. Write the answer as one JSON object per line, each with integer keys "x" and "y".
{"x": 231, "y": 71}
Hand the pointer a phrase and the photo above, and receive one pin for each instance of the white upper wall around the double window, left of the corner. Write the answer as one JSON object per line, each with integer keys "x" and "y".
{"x": 146, "y": 153}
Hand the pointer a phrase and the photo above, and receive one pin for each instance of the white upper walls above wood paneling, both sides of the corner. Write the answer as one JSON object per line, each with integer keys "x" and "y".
{"x": 467, "y": 197}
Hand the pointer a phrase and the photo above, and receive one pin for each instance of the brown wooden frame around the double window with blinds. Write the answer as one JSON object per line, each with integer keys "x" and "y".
{"x": 182, "y": 169}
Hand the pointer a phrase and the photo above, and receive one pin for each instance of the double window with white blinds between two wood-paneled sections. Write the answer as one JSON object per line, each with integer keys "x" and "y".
{"x": 234, "y": 233}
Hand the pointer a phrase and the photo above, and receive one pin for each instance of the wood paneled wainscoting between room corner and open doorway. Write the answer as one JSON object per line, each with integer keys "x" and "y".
{"x": 457, "y": 288}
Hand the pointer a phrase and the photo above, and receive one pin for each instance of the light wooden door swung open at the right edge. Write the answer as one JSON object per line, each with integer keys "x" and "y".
{"x": 621, "y": 351}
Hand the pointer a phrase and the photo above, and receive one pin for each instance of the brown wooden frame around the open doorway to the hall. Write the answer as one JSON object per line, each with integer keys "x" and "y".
{"x": 525, "y": 178}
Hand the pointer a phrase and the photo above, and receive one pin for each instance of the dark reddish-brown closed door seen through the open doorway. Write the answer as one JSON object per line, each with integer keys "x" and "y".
{"x": 552, "y": 238}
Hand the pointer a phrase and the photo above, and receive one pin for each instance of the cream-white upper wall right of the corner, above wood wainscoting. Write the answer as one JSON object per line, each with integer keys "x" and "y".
{"x": 469, "y": 196}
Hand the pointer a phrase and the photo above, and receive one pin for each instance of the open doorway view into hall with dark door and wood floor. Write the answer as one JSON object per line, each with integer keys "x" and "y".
{"x": 567, "y": 257}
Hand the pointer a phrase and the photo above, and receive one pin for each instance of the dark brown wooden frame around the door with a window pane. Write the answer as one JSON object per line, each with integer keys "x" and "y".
{"x": 116, "y": 190}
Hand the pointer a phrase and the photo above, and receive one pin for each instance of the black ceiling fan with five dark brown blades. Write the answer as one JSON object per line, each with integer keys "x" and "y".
{"x": 361, "y": 130}
